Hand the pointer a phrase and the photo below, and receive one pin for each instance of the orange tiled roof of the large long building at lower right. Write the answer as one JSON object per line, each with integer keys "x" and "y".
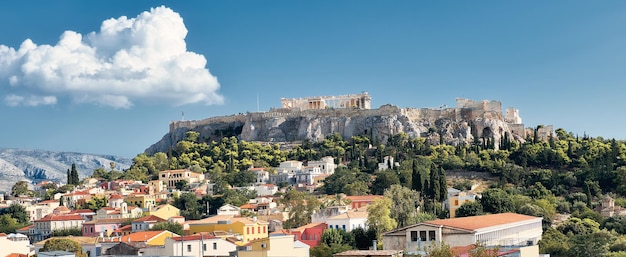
{"x": 482, "y": 221}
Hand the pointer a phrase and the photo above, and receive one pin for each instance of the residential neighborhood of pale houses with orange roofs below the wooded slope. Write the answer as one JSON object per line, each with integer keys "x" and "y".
{"x": 131, "y": 212}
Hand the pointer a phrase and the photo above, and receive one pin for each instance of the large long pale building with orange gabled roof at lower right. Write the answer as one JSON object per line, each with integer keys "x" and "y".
{"x": 502, "y": 229}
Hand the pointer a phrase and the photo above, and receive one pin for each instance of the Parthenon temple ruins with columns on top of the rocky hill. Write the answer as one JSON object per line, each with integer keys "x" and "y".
{"x": 358, "y": 101}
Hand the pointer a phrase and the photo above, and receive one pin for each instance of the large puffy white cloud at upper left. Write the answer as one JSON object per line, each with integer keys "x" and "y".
{"x": 138, "y": 59}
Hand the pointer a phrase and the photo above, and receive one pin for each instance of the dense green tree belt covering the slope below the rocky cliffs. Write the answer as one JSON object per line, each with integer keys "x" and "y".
{"x": 562, "y": 174}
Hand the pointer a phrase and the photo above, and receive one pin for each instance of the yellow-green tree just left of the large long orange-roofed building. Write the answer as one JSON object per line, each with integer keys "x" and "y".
{"x": 379, "y": 216}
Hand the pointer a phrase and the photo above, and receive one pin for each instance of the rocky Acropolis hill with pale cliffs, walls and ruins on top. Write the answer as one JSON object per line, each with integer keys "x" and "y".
{"x": 312, "y": 118}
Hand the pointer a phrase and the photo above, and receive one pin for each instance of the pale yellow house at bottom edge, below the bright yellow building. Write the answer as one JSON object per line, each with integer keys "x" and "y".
{"x": 275, "y": 246}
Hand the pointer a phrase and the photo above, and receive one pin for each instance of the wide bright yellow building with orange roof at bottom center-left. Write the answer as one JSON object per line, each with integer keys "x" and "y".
{"x": 249, "y": 229}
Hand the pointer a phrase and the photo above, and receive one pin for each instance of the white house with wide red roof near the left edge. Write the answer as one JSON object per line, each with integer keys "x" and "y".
{"x": 45, "y": 226}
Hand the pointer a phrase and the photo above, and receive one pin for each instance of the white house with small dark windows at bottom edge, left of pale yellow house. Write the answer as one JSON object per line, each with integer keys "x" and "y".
{"x": 198, "y": 245}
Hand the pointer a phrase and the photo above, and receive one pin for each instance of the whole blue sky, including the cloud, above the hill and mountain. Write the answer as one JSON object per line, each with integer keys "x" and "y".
{"x": 559, "y": 62}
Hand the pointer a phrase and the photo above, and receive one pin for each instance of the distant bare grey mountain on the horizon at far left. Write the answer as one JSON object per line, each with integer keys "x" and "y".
{"x": 38, "y": 165}
